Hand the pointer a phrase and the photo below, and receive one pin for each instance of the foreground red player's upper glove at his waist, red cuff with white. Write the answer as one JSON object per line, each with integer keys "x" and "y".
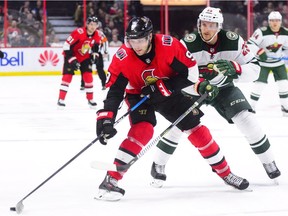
{"x": 157, "y": 92}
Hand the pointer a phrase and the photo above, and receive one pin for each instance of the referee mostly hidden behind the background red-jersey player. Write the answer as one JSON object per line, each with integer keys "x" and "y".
{"x": 98, "y": 60}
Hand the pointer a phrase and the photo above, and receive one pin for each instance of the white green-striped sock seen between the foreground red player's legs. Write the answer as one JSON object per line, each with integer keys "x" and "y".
{"x": 166, "y": 146}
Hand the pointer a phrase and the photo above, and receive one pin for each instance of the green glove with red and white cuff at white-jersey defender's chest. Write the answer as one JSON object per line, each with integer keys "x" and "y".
{"x": 228, "y": 68}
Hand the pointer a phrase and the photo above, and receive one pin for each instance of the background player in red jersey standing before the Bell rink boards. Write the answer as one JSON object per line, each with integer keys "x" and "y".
{"x": 79, "y": 48}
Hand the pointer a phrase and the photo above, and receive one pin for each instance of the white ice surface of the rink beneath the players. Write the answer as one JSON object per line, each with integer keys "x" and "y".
{"x": 36, "y": 139}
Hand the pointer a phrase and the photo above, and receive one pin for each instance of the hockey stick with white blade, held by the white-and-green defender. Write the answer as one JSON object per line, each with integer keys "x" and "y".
{"x": 114, "y": 167}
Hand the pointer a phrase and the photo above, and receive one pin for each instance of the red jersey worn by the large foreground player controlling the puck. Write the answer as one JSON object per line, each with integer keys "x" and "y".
{"x": 168, "y": 50}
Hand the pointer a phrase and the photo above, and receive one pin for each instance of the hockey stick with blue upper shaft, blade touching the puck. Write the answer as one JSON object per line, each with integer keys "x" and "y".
{"x": 19, "y": 206}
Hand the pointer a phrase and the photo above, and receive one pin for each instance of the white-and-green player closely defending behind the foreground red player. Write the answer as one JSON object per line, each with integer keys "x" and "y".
{"x": 223, "y": 57}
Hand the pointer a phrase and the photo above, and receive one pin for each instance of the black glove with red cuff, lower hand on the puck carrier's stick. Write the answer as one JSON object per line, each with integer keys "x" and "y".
{"x": 105, "y": 125}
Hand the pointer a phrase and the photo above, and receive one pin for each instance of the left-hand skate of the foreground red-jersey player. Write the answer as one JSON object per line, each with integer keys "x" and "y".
{"x": 109, "y": 190}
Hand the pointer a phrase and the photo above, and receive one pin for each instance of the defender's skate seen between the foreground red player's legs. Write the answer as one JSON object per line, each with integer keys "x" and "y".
{"x": 158, "y": 175}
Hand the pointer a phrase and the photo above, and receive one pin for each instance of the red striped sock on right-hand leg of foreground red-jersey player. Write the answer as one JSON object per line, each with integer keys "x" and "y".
{"x": 201, "y": 138}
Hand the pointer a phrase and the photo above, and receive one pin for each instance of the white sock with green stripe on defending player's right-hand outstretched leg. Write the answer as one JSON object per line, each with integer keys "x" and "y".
{"x": 248, "y": 125}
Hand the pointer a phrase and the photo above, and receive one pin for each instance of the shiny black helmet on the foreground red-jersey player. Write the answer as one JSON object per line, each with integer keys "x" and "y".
{"x": 139, "y": 27}
